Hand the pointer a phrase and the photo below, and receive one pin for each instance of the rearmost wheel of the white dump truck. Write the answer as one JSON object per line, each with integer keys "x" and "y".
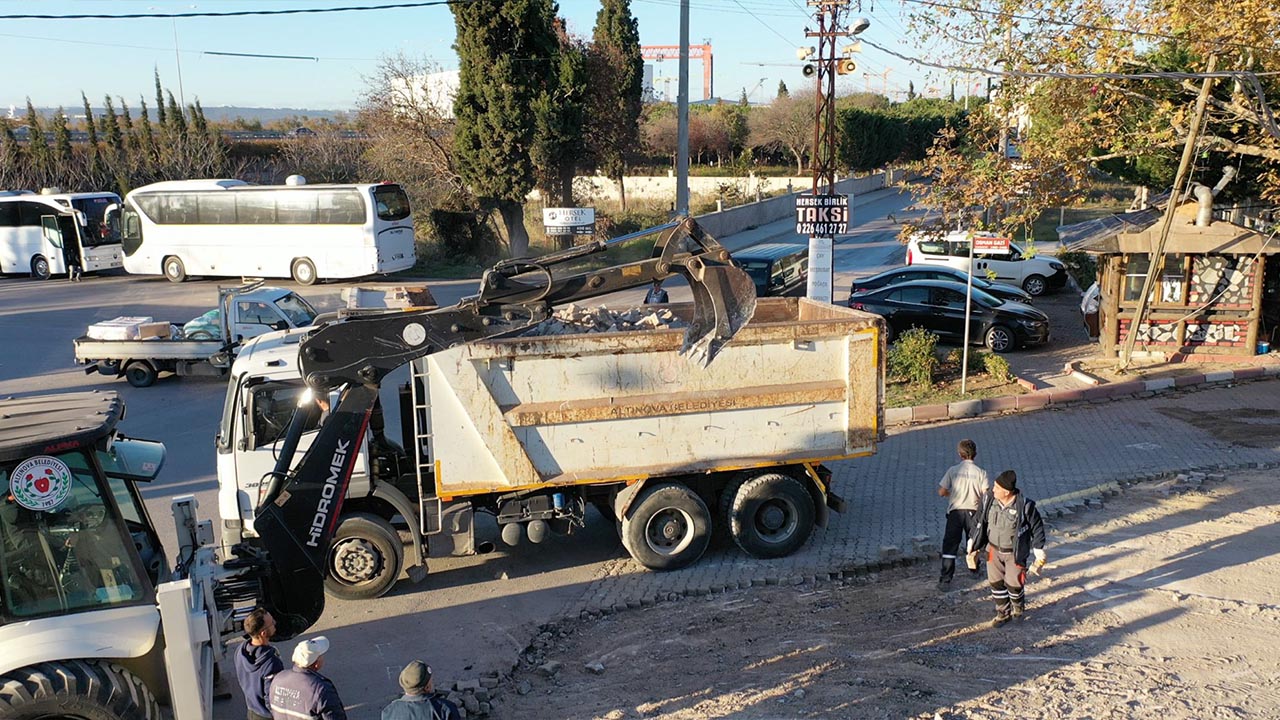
{"x": 772, "y": 516}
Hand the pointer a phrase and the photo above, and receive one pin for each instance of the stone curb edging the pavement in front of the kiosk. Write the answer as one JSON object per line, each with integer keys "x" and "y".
{"x": 1059, "y": 398}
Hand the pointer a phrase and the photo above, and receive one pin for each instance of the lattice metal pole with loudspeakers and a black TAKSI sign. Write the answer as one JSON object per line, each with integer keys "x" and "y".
{"x": 825, "y": 215}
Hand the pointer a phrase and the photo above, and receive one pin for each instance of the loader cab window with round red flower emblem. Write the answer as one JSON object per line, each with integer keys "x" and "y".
{"x": 63, "y": 545}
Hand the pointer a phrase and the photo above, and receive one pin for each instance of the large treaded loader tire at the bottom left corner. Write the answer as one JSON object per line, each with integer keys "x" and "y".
{"x": 80, "y": 690}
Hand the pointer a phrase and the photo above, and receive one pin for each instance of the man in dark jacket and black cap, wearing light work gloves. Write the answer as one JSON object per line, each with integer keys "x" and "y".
{"x": 1011, "y": 528}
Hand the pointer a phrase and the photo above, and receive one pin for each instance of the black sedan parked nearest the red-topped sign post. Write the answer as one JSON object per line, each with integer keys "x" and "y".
{"x": 939, "y": 308}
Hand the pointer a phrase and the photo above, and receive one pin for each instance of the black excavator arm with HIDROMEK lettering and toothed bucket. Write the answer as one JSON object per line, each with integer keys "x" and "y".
{"x": 300, "y": 511}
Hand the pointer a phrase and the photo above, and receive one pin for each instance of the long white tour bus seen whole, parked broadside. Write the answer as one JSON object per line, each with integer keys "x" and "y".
{"x": 232, "y": 229}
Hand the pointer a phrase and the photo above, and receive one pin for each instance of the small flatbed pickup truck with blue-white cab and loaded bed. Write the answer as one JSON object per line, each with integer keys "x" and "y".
{"x": 207, "y": 347}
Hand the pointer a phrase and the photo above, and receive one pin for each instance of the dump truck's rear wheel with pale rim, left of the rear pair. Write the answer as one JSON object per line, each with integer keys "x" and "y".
{"x": 669, "y": 528}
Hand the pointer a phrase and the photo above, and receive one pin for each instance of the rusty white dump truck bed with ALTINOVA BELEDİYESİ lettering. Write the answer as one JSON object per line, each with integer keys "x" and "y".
{"x": 802, "y": 382}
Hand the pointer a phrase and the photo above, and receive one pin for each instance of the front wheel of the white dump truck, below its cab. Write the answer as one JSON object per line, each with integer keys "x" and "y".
{"x": 365, "y": 559}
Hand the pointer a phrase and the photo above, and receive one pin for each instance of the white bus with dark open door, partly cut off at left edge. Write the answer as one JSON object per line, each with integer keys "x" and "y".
{"x": 52, "y": 233}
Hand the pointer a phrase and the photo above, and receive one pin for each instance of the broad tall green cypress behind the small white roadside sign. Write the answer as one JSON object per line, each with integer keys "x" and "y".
{"x": 506, "y": 54}
